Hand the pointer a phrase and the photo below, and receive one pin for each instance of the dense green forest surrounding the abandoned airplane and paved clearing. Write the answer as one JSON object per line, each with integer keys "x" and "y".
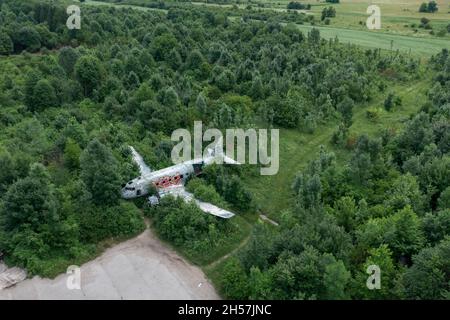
{"x": 72, "y": 101}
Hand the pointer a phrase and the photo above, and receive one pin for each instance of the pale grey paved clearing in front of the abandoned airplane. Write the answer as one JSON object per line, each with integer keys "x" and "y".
{"x": 140, "y": 268}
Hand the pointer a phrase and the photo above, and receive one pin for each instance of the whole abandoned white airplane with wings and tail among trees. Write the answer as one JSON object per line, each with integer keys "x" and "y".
{"x": 171, "y": 181}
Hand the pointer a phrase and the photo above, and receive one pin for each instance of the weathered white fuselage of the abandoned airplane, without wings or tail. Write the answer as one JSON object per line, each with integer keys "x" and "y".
{"x": 164, "y": 178}
